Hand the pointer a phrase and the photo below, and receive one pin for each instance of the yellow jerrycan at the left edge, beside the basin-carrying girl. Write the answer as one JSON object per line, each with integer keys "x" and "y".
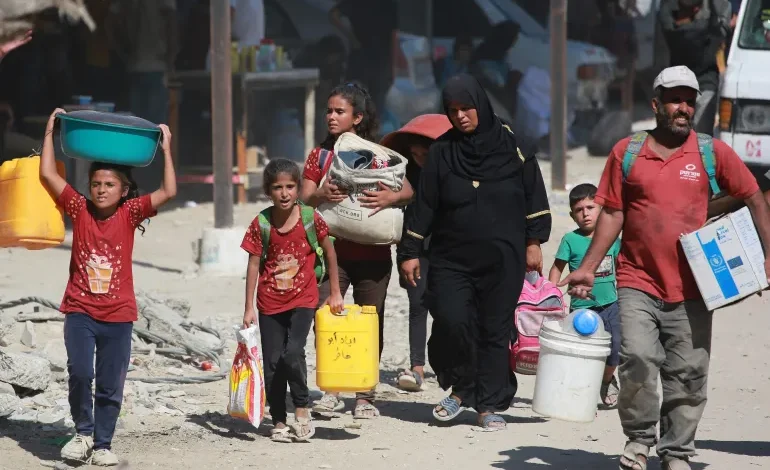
{"x": 29, "y": 216}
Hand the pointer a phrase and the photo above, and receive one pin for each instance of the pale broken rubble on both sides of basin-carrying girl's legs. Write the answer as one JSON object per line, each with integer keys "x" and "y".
{"x": 167, "y": 350}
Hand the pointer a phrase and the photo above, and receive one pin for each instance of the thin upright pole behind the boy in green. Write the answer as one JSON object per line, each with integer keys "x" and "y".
{"x": 558, "y": 24}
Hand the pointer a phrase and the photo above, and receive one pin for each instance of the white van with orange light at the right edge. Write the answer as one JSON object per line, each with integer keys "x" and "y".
{"x": 744, "y": 109}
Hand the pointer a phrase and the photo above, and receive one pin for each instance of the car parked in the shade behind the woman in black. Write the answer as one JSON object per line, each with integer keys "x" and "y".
{"x": 590, "y": 69}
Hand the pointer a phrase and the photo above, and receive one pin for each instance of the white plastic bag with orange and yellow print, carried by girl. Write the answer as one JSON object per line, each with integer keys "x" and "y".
{"x": 247, "y": 385}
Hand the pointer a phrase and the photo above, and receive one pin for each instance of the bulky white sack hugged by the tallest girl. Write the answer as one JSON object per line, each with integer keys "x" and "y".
{"x": 347, "y": 219}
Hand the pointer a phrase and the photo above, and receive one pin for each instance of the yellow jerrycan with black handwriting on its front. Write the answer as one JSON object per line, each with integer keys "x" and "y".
{"x": 347, "y": 349}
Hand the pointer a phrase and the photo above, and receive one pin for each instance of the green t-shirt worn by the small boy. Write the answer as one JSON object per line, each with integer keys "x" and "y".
{"x": 572, "y": 249}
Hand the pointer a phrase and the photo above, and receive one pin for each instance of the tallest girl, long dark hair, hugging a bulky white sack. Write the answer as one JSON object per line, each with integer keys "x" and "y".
{"x": 365, "y": 267}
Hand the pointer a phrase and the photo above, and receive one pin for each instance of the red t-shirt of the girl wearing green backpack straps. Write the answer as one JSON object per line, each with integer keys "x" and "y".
{"x": 287, "y": 279}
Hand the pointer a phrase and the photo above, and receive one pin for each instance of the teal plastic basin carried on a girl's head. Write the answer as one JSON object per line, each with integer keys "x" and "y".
{"x": 108, "y": 142}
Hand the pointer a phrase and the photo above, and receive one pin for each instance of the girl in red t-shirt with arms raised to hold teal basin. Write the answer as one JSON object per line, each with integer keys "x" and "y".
{"x": 99, "y": 303}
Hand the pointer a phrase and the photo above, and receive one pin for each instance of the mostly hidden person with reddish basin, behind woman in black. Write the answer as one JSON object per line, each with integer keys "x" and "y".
{"x": 413, "y": 141}
